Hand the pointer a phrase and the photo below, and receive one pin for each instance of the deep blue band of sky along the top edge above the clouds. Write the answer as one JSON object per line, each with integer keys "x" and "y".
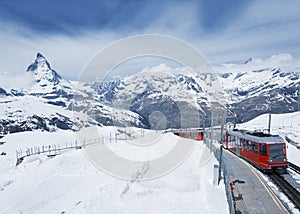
{"x": 75, "y": 17}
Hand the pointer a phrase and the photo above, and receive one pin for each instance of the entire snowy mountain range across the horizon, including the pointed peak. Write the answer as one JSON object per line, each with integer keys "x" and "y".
{"x": 149, "y": 99}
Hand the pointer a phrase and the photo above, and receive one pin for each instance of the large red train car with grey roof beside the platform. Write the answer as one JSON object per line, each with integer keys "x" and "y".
{"x": 267, "y": 152}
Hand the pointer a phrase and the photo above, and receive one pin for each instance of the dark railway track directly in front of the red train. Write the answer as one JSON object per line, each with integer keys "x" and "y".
{"x": 287, "y": 189}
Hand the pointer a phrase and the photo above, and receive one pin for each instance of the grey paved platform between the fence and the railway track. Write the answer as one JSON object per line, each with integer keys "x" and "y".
{"x": 250, "y": 193}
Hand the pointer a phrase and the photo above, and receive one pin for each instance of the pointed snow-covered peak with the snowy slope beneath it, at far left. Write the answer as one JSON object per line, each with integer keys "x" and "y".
{"x": 41, "y": 104}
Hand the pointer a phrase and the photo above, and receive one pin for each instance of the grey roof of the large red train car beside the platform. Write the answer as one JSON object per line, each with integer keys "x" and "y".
{"x": 260, "y": 137}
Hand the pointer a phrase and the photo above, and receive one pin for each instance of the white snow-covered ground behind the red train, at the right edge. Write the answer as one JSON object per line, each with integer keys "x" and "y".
{"x": 283, "y": 125}
